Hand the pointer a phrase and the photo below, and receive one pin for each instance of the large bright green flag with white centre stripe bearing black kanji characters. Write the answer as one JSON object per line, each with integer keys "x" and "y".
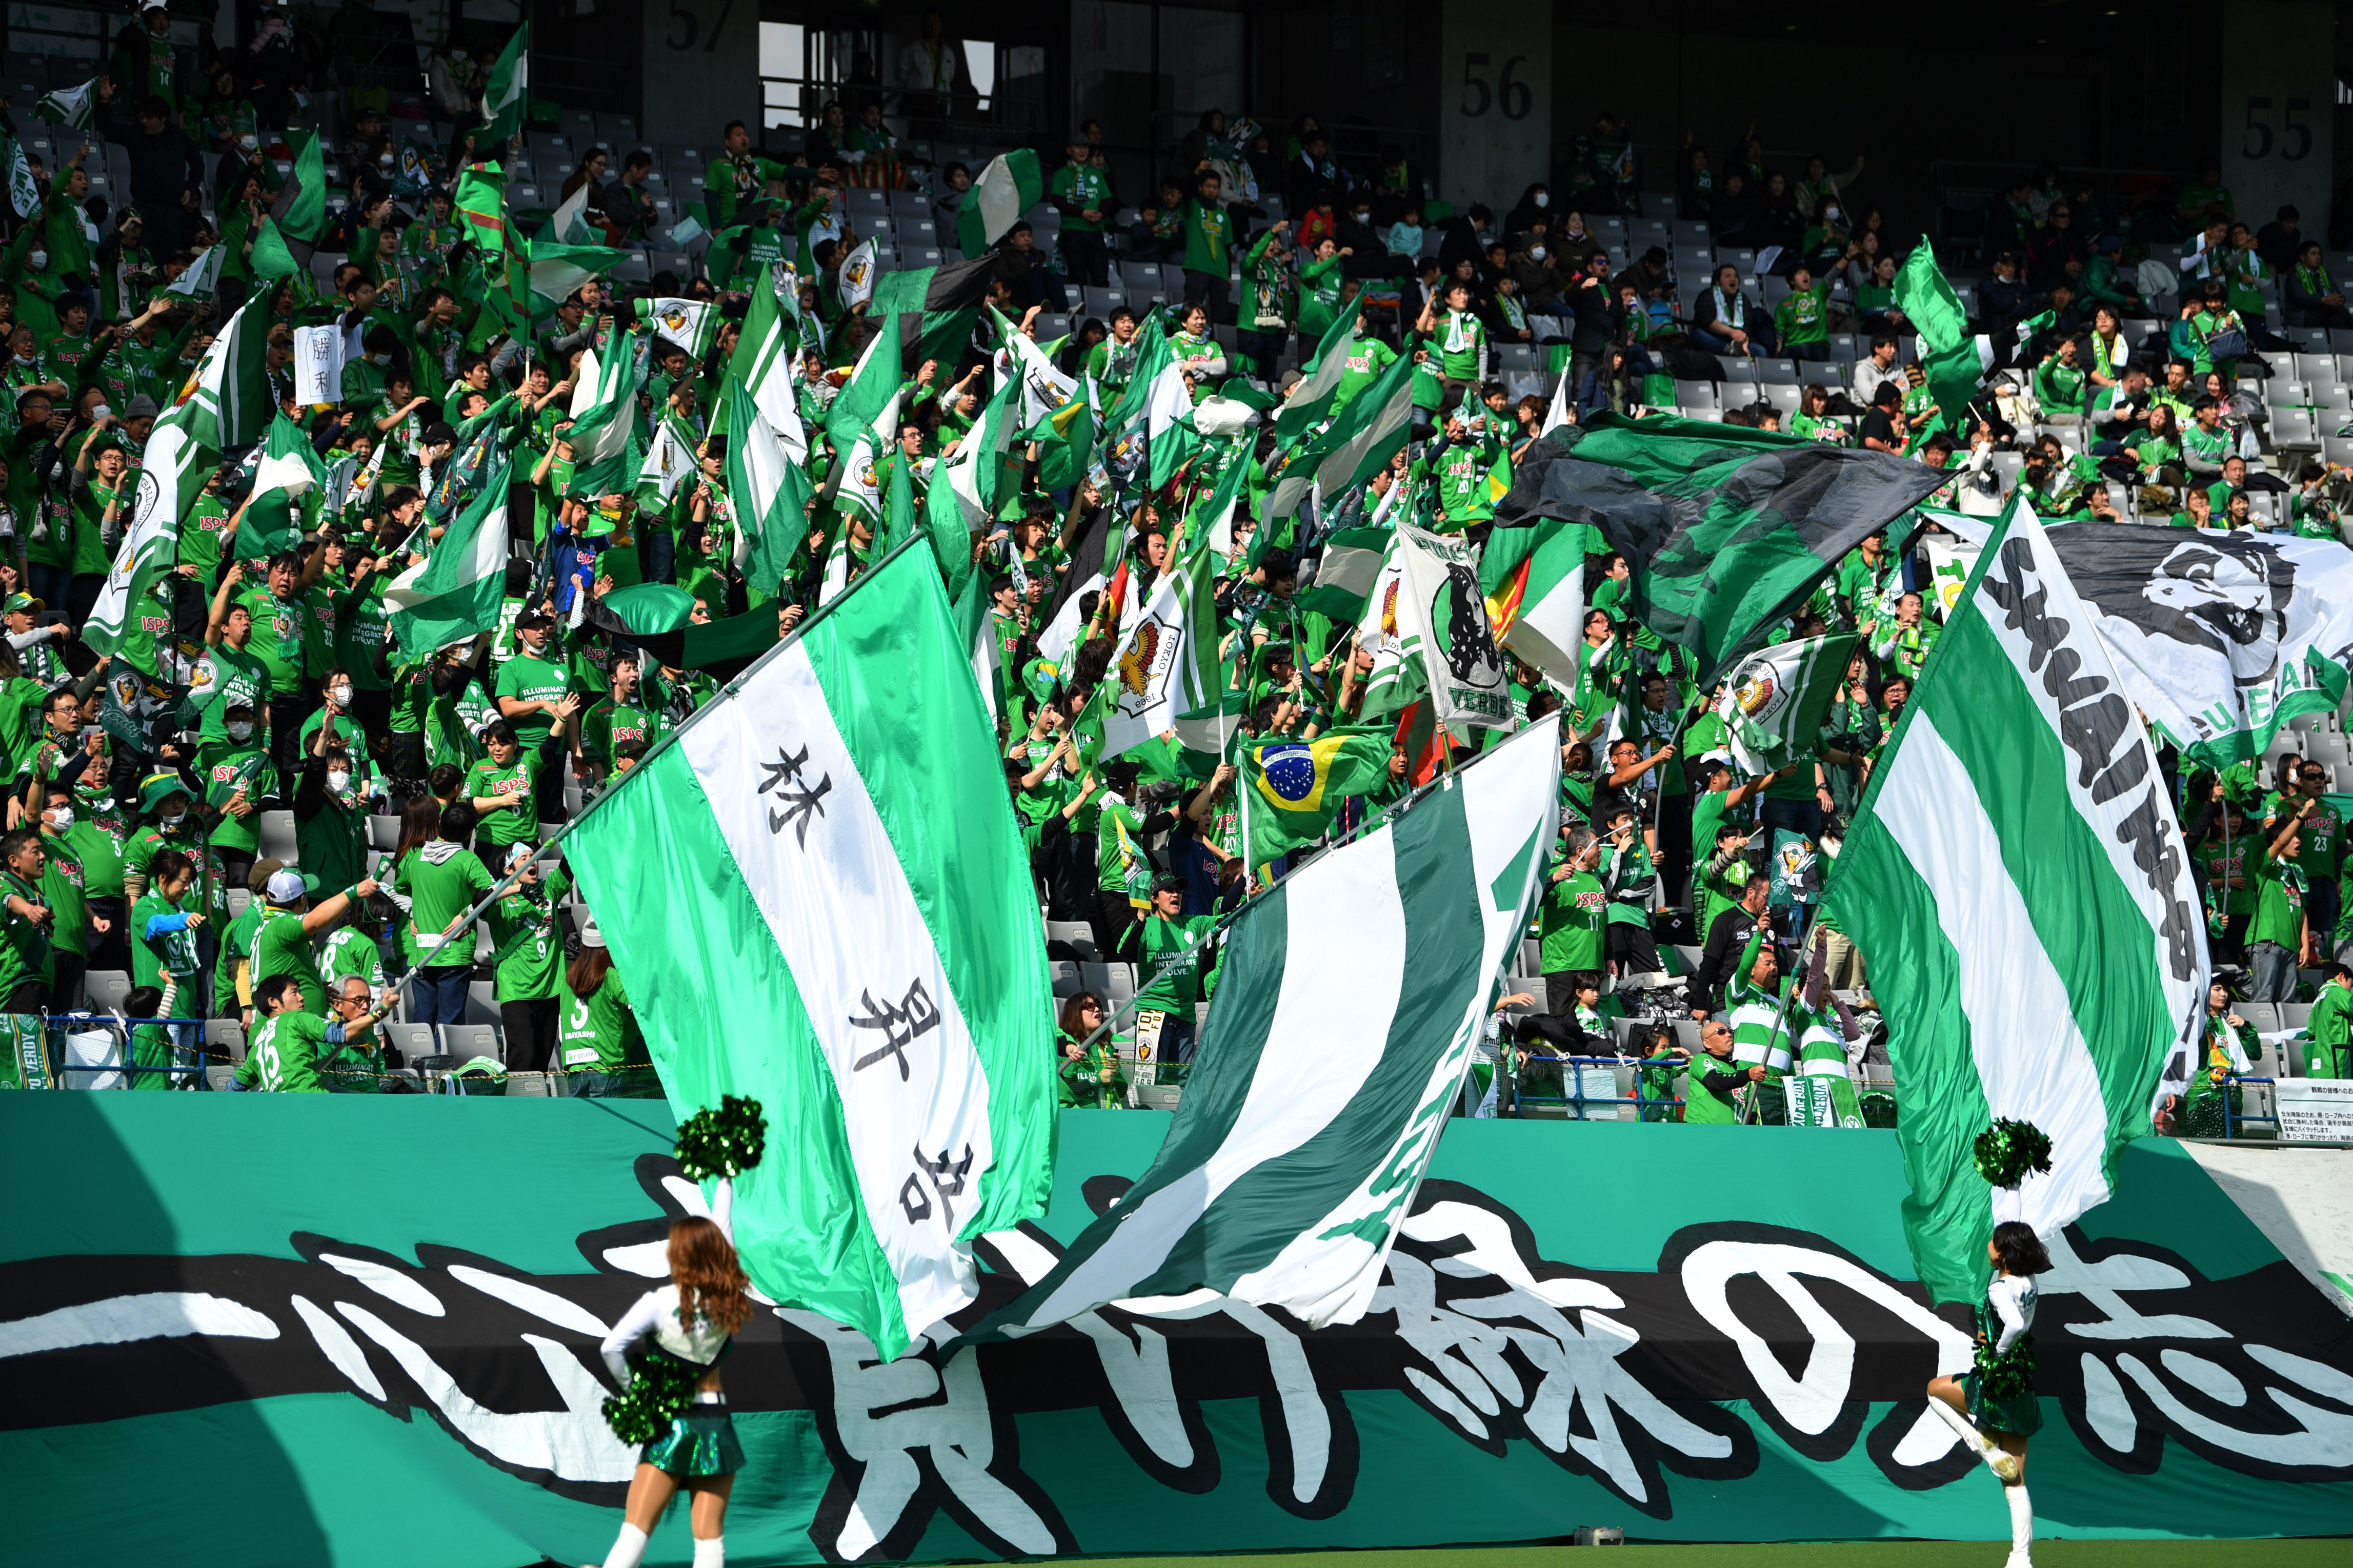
{"x": 860, "y": 887}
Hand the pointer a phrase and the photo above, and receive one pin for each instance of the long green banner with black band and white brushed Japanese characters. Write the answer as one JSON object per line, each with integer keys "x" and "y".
{"x": 253, "y": 1329}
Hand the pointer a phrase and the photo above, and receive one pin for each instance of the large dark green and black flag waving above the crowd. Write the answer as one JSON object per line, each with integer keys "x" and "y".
{"x": 1726, "y": 528}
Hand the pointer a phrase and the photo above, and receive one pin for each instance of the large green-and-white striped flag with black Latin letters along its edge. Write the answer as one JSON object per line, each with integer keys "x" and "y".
{"x": 2020, "y": 890}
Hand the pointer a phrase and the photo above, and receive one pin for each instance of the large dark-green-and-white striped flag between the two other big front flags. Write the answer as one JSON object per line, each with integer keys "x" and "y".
{"x": 1312, "y": 1113}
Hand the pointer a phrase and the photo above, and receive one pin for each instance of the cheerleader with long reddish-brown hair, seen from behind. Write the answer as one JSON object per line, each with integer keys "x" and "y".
{"x": 693, "y": 1325}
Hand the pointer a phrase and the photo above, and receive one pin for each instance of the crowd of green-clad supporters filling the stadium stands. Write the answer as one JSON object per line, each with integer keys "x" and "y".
{"x": 262, "y": 810}
